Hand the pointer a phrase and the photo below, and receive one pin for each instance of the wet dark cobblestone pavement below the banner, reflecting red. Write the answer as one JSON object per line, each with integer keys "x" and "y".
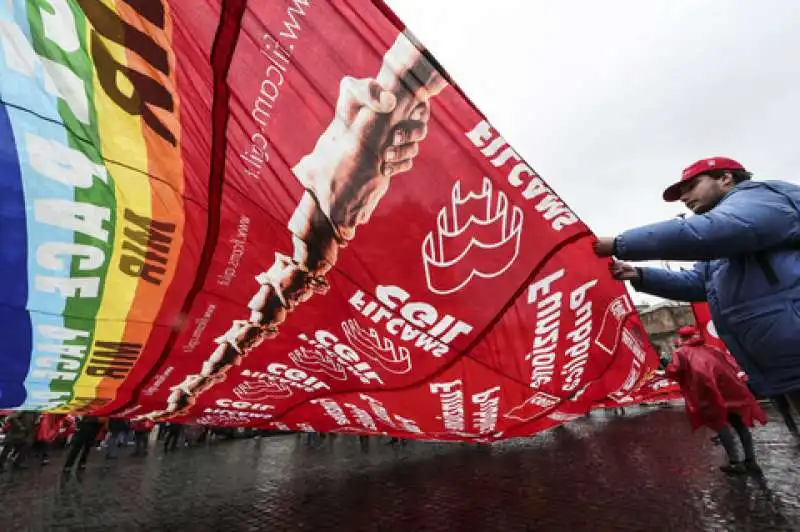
{"x": 643, "y": 471}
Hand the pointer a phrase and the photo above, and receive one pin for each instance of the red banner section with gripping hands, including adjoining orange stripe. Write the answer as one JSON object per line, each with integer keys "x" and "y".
{"x": 360, "y": 250}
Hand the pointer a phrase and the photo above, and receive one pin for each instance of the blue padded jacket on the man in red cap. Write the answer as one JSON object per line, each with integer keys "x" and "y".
{"x": 753, "y": 233}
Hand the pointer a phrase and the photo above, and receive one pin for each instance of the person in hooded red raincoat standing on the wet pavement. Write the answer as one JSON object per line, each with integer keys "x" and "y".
{"x": 716, "y": 397}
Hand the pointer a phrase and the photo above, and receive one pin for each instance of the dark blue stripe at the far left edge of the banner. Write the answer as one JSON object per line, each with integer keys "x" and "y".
{"x": 15, "y": 323}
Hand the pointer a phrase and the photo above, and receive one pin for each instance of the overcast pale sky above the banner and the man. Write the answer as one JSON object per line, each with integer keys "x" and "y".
{"x": 610, "y": 100}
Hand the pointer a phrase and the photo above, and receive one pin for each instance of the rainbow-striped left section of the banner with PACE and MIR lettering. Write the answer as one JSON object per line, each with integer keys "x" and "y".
{"x": 88, "y": 176}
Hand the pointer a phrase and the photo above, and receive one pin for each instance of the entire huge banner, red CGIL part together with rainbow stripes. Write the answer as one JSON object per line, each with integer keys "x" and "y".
{"x": 283, "y": 214}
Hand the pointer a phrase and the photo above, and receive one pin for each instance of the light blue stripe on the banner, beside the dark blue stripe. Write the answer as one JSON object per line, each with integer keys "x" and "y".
{"x": 27, "y": 86}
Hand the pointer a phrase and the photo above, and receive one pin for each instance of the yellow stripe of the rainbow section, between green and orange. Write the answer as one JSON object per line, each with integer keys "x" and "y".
{"x": 122, "y": 140}
